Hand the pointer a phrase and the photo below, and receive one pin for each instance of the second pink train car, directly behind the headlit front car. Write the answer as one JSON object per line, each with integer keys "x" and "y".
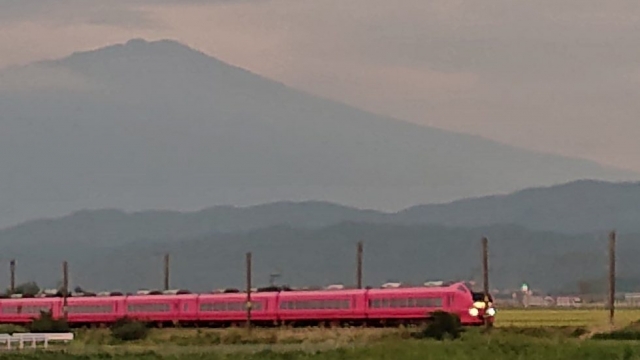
{"x": 330, "y": 306}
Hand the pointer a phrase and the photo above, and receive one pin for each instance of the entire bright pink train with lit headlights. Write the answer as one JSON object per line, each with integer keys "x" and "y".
{"x": 371, "y": 306}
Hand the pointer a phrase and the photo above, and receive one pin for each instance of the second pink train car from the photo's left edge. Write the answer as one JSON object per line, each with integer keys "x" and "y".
{"x": 95, "y": 310}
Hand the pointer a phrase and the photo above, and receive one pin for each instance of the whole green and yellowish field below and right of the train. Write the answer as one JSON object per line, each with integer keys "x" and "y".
{"x": 518, "y": 334}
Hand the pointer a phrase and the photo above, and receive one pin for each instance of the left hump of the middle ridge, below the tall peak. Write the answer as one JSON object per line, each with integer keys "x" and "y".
{"x": 111, "y": 228}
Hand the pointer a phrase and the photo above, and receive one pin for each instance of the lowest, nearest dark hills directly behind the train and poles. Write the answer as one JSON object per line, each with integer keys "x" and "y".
{"x": 321, "y": 256}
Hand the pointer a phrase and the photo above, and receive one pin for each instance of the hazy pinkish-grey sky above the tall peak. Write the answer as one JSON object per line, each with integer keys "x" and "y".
{"x": 552, "y": 75}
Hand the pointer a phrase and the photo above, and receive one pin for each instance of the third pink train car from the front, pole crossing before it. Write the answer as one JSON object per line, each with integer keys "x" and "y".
{"x": 225, "y": 309}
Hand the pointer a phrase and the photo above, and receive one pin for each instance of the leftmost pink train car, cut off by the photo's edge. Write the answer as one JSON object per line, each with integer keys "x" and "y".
{"x": 24, "y": 310}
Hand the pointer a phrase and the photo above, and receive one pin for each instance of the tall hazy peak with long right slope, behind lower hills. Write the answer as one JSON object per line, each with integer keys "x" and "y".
{"x": 158, "y": 125}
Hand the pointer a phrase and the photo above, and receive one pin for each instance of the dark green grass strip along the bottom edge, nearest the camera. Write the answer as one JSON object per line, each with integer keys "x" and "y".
{"x": 474, "y": 346}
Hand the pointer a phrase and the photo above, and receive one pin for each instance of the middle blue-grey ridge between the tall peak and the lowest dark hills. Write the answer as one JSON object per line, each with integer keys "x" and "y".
{"x": 576, "y": 207}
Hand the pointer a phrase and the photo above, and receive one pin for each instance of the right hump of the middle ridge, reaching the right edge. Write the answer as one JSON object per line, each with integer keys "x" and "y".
{"x": 576, "y": 207}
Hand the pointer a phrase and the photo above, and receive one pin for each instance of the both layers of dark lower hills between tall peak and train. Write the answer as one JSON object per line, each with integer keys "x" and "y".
{"x": 557, "y": 237}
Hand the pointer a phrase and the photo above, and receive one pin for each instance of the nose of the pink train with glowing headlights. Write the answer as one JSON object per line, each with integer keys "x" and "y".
{"x": 471, "y": 306}
